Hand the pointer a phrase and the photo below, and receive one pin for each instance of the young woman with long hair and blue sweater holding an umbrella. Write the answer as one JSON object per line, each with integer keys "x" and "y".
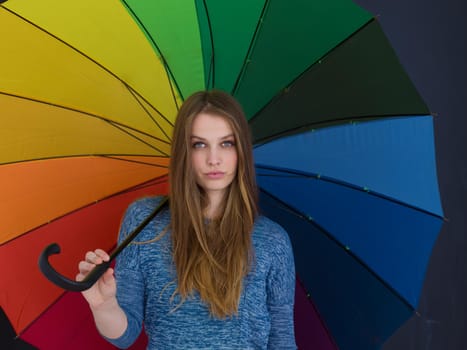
{"x": 208, "y": 272}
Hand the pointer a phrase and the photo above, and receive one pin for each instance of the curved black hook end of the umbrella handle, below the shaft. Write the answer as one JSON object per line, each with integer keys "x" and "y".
{"x": 66, "y": 283}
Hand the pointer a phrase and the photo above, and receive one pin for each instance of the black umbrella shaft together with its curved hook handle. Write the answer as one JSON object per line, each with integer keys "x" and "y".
{"x": 92, "y": 277}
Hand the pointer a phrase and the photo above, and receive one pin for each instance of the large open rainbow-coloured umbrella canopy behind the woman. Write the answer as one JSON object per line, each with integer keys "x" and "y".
{"x": 343, "y": 144}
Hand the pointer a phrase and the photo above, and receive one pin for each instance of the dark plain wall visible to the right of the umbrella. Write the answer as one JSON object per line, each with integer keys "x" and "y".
{"x": 429, "y": 38}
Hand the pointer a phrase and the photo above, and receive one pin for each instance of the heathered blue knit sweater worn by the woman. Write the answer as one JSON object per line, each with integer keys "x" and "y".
{"x": 146, "y": 281}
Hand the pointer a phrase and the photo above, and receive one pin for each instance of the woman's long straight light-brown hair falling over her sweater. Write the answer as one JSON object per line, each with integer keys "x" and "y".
{"x": 213, "y": 257}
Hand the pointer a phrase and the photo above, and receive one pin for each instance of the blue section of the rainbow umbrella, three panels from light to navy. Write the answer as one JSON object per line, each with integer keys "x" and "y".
{"x": 361, "y": 204}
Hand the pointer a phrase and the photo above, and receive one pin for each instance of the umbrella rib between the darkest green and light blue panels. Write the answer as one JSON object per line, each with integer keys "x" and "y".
{"x": 337, "y": 121}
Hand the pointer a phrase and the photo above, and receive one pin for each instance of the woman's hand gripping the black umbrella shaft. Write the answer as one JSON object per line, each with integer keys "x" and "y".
{"x": 105, "y": 289}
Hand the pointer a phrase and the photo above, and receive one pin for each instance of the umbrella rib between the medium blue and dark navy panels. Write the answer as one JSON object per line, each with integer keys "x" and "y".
{"x": 294, "y": 211}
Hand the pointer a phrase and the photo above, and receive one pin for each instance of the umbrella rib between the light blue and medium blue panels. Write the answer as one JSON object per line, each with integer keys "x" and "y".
{"x": 302, "y": 174}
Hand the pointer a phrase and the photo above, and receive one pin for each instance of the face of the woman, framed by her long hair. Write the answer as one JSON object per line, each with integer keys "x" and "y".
{"x": 214, "y": 154}
